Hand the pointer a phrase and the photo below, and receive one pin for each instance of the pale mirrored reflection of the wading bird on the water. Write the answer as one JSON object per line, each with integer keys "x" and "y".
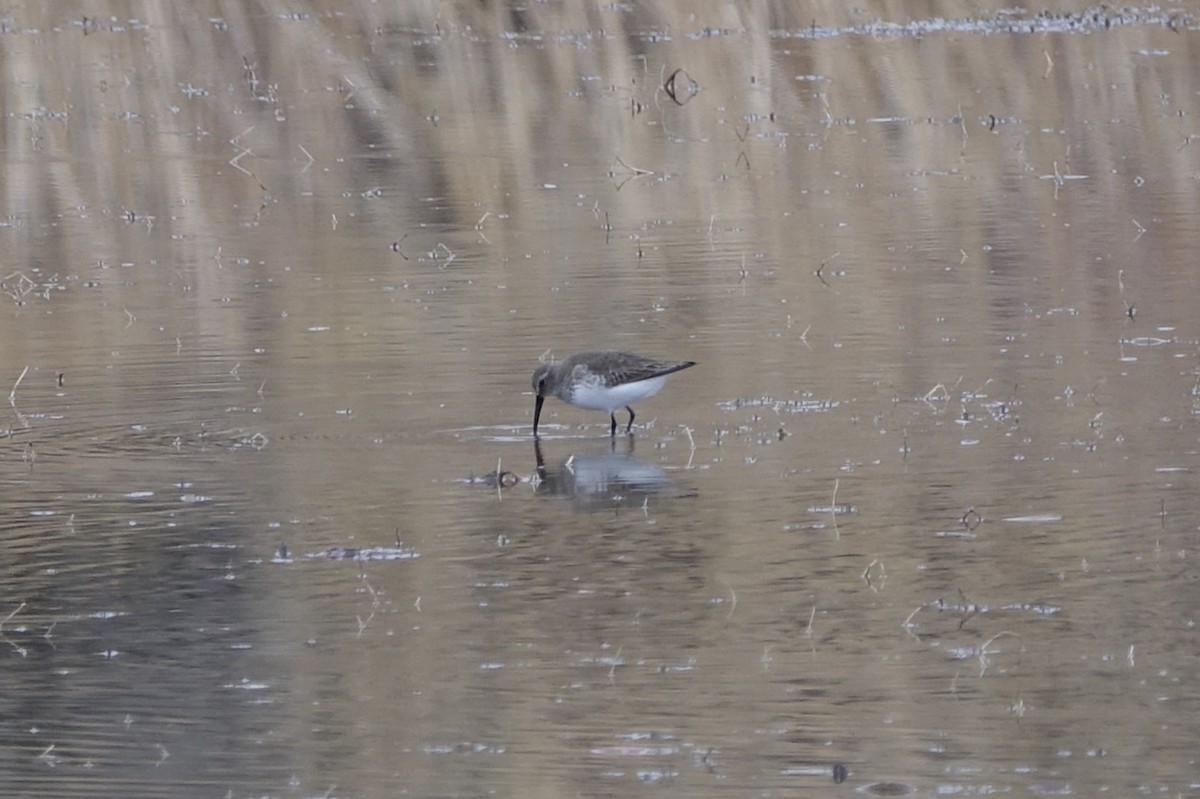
{"x": 602, "y": 479}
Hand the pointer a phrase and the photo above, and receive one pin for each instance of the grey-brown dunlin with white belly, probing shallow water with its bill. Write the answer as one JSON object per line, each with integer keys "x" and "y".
{"x": 603, "y": 381}
